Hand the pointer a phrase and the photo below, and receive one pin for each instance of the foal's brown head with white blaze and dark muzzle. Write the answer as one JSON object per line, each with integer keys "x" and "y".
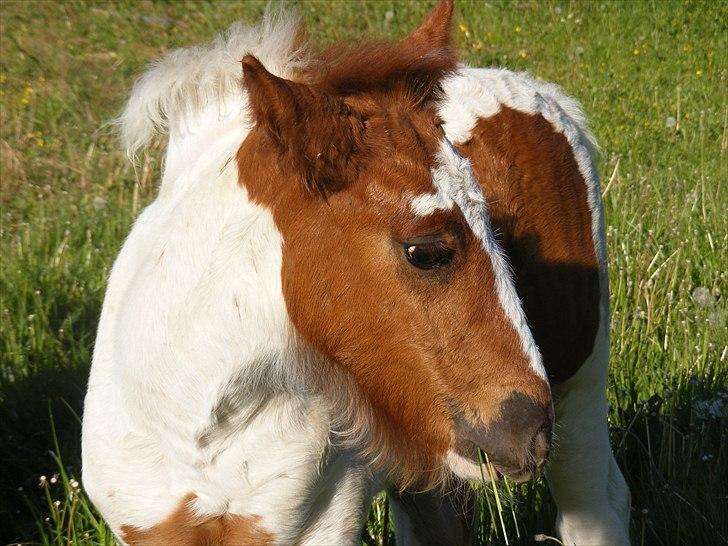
{"x": 390, "y": 268}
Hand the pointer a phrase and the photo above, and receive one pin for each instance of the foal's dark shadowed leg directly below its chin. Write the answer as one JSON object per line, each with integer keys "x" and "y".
{"x": 431, "y": 518}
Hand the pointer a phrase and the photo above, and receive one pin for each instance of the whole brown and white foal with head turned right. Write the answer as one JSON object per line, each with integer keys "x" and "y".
{"x": 363, "y": 265}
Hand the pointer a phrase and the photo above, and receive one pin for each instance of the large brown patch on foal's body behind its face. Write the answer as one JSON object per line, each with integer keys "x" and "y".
{"x": 539, "y": 207}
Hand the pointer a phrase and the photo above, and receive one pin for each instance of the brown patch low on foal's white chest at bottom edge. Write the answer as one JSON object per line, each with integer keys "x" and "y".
{"x": 184, "y": 528}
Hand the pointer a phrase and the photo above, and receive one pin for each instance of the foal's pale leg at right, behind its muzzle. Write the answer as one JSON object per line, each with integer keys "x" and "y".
{"x": 591, "y": 495}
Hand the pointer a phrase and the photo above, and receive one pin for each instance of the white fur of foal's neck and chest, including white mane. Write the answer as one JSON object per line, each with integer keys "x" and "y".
{"x": 196, "y": 383}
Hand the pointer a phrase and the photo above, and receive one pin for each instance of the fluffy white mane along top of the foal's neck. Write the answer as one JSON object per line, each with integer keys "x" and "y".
{"x": 188, "y": 79}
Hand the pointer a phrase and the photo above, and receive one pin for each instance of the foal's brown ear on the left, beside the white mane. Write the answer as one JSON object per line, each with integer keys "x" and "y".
{"x": 273, "y": 101}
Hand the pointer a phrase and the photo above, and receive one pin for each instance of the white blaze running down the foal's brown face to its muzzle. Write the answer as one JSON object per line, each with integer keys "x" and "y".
{"x": 455, "y": 183}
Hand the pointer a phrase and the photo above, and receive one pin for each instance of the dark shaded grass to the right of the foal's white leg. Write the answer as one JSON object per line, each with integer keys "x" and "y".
{"x": 673, "y": 451}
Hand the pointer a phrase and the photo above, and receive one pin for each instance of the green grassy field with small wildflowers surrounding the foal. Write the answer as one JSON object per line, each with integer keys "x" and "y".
{"x": 651, "y": 75}
